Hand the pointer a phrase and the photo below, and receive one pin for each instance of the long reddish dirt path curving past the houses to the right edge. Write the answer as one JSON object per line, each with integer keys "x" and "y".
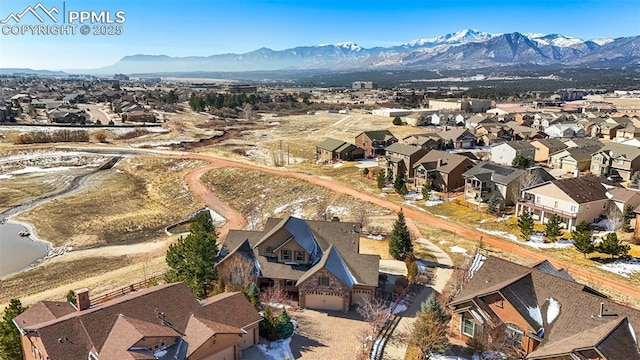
{"x": 417, "y": 215}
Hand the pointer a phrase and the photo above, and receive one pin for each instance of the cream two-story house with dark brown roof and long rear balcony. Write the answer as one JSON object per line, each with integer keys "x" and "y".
{"x": 573, "y": 200}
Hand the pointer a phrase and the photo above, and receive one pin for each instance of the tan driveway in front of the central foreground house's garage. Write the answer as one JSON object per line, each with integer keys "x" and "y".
{"x": 326, "y": 335}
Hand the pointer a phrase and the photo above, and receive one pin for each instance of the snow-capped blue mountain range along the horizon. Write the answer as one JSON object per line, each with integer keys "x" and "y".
{"x": 464, "y": 49}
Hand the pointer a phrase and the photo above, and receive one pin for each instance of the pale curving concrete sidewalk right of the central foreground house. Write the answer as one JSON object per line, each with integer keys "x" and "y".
{"x": 396, "y": 347}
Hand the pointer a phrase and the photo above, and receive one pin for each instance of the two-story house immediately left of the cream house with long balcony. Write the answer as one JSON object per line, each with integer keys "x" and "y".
{"x": 486, "y": 180}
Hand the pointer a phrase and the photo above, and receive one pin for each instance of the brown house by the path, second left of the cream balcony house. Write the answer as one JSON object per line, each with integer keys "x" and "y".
{"x": 443, "y": 169}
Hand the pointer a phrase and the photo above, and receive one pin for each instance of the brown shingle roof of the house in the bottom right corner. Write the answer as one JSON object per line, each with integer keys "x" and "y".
{"x": 532, "y": 291}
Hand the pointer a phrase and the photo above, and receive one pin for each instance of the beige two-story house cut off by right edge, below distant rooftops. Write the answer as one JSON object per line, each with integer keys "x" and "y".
{"x": 616, "y": 161}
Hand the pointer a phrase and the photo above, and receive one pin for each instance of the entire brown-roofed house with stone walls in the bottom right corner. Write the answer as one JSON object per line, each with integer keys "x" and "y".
{"x": 545, "y": 313}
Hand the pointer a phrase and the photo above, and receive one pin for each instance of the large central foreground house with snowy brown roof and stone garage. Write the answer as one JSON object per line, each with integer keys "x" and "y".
{"x": 319, "y": 261}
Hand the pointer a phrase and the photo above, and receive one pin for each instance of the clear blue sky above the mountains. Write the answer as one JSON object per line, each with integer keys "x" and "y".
{"x": 199, "y": 27}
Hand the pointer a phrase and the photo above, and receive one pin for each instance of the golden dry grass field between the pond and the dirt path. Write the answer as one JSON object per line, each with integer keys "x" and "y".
{"x": 133, "y": 201}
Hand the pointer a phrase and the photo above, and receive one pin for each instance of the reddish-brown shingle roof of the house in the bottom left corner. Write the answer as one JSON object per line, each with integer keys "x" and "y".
{"x": 91, "y": 329}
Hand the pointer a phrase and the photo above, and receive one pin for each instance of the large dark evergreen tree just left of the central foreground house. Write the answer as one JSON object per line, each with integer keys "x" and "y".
{"x": 192, "y": 258}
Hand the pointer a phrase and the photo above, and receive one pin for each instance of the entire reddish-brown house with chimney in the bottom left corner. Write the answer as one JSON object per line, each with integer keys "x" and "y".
{"x": 162, "y": 322}
